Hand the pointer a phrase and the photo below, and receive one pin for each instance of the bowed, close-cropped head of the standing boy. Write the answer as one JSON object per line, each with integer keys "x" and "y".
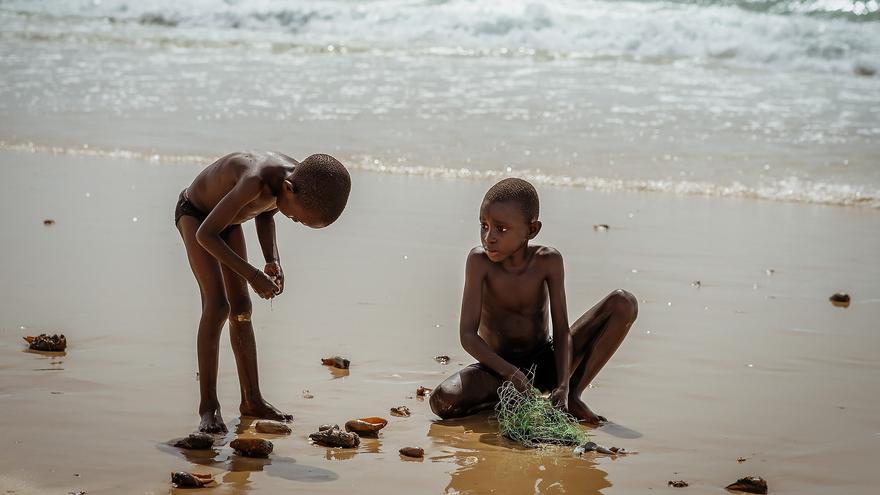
{"x": 323, "y": 184}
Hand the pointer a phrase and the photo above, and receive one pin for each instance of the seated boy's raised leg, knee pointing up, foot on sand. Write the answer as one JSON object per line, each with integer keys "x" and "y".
{"x": 595, "y": 337}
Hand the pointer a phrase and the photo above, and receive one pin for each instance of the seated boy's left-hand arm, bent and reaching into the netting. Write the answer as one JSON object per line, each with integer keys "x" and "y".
{"x": 471, "y": 307}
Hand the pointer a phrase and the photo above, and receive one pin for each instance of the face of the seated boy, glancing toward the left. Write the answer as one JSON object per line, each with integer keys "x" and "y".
{"x": 504, "y": 229}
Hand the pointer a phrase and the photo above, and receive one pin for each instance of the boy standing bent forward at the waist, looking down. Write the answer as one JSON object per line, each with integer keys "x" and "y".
{"x": 234, "y": 189}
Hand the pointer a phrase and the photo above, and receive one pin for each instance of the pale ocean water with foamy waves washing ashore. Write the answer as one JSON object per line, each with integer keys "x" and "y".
{"x": 775, "y": 100}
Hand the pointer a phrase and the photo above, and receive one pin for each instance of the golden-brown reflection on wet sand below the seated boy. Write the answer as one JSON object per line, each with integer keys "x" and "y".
{"x": 488, "y": 462}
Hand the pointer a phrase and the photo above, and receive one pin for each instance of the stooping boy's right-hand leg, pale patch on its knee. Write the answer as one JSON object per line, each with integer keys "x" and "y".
{"x": 241, "y": 334}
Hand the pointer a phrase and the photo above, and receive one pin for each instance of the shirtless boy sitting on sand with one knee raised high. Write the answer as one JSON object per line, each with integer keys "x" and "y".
{"x": 510, "y": 287}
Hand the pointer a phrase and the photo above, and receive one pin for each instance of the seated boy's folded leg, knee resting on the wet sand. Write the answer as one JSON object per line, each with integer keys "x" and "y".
{"x": 471, "y": 390}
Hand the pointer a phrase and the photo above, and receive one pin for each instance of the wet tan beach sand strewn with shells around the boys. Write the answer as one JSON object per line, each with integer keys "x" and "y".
{"x": 750, "y": 364}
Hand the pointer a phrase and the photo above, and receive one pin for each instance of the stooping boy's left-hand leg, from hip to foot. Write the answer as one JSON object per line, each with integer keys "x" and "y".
{"x": 206, "y": 269}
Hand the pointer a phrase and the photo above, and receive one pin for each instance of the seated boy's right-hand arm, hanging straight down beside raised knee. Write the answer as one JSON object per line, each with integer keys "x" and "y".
{"x": 561, "y": 331}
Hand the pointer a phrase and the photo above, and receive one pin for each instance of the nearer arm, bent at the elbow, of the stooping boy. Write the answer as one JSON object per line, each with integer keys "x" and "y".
{"x": 208, "y": 235}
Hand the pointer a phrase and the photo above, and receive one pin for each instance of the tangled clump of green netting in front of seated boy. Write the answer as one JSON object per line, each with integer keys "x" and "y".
{"x": 529, "y": 418}
